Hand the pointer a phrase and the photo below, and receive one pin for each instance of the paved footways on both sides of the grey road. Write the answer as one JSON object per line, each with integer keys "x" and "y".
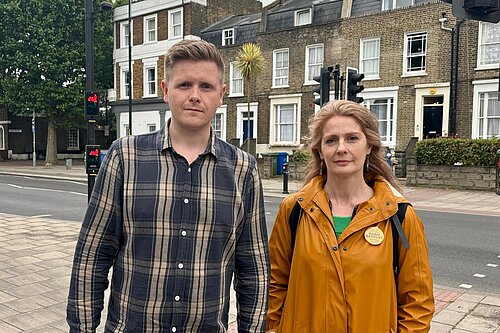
{"x": 36, "y": 259}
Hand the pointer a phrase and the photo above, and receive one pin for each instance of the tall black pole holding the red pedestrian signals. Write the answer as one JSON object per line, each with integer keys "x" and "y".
{"x": 89, "y": 78}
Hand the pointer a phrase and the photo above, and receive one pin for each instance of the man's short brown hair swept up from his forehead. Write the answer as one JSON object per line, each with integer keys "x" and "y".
{"x": 198, "y": 50}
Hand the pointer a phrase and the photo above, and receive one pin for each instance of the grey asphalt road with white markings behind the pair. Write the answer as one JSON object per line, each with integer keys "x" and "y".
{"x": 463, "y": 249}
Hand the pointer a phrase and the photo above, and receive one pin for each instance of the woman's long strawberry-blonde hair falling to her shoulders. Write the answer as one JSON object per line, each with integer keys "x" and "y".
{"x": 369, "y": 125}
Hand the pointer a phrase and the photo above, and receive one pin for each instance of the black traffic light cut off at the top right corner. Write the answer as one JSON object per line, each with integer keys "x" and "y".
{"x": 480, "y": 10}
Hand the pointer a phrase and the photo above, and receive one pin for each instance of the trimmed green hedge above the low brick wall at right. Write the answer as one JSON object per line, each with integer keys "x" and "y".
{"x": 446, "y": 151}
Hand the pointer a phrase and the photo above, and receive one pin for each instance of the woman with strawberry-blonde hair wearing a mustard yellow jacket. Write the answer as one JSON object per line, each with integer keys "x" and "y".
{"x": 339, "y": 275}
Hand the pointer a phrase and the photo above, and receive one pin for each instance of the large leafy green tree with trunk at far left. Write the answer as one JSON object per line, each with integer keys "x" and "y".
{"x": 42, "y": 62}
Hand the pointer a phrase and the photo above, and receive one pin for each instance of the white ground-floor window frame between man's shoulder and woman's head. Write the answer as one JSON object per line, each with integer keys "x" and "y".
{"x": 275, "y": 101}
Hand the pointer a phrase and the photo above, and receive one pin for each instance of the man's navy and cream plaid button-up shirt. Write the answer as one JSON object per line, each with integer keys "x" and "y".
{"x": 174, "y": 234}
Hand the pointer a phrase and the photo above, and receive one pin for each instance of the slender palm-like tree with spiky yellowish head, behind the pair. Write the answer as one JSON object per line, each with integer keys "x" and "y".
{"x": 250, "y": 62}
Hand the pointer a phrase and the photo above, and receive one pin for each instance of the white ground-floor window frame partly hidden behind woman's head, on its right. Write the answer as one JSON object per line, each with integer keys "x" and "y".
{"x": 385, "y": 93}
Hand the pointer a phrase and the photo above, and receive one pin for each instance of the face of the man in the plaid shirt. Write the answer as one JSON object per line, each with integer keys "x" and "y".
{"x": 193, "y": 92}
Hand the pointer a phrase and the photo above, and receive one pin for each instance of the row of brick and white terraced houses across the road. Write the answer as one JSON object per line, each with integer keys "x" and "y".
{"x": 427, "y": 74}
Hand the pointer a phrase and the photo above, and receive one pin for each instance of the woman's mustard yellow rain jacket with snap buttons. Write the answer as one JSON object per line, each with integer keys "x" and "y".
{"x": 347, "y": 285}
